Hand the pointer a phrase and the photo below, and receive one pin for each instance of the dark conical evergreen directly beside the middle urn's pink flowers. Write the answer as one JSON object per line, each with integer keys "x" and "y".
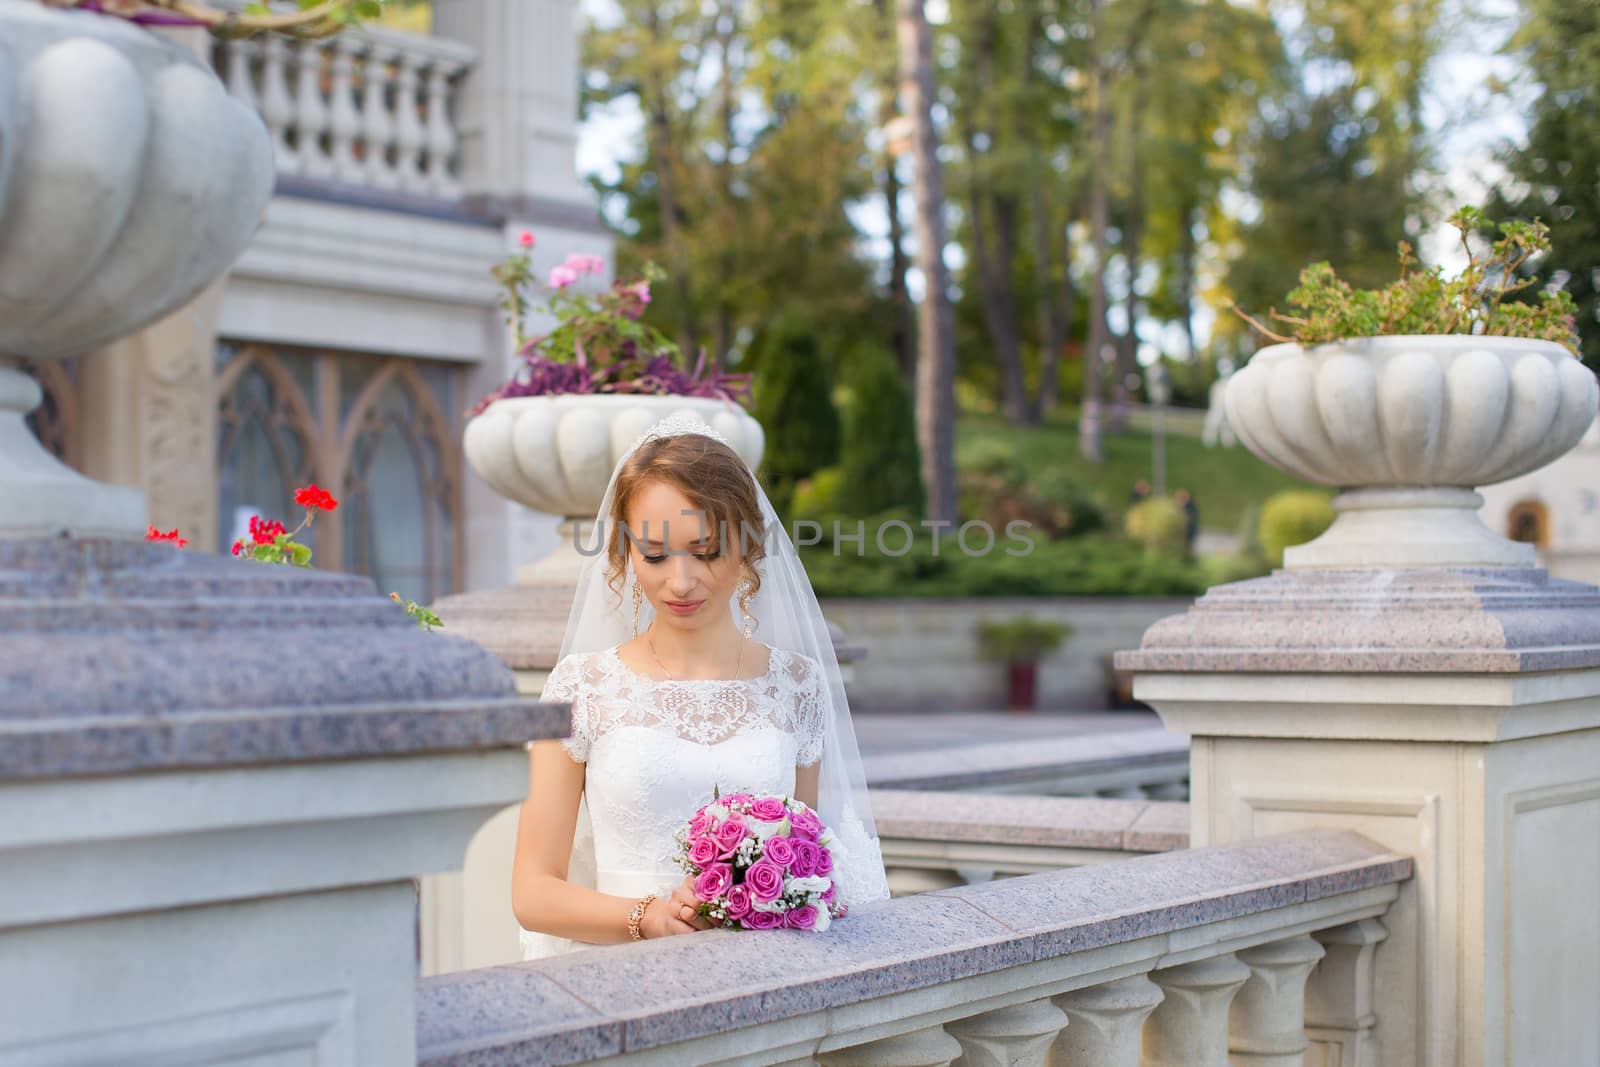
{"x": 796, "y": 410}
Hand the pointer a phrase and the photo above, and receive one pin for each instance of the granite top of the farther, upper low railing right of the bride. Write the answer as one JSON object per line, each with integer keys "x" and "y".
{"x": 1001, "y": 762}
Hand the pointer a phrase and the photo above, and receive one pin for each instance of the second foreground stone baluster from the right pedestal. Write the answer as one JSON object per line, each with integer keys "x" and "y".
{"x": 1268, "y": 1018}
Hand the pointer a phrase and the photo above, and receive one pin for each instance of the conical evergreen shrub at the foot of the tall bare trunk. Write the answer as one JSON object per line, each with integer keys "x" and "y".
{"x": 881, "y": 466}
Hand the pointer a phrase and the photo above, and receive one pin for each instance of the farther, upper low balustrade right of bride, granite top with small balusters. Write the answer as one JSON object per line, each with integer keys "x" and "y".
{"x": 1143, "y": 764}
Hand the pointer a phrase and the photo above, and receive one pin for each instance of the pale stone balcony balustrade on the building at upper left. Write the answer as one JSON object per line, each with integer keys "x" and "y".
{"x": 367, "y": 108}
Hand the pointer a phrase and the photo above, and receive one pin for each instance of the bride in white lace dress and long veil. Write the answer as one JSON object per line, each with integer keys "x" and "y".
{"x": 674, "y": 697}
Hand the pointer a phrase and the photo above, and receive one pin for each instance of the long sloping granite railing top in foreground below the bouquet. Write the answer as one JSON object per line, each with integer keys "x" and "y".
{"x": 631, "y": 999}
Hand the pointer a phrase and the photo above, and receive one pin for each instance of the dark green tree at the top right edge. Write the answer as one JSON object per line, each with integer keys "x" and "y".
{"x": 1556, "y": 177}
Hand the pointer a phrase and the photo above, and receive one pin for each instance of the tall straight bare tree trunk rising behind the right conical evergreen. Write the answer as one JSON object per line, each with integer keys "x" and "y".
{"x": 935, "y": 321}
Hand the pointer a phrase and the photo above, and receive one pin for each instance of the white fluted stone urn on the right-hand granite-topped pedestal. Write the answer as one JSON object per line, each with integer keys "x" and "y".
{"x": 1407, "y": 428}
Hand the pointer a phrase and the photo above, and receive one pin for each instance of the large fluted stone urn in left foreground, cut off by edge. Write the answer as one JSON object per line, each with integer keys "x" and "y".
{"x": 129, "y": 182}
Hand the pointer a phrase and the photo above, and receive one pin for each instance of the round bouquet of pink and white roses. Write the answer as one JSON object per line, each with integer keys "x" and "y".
{"x": 761, "y": 863}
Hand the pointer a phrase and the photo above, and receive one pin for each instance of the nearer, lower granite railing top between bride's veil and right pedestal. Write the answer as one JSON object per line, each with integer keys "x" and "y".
{"x": 1127, "y": 826}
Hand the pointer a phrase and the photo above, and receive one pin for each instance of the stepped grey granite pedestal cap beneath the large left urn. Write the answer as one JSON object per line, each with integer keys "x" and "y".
{"x": 129, "y": 657}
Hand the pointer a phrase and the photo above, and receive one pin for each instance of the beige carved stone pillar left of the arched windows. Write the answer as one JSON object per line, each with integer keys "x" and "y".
{"x": 148, "y": 409}
